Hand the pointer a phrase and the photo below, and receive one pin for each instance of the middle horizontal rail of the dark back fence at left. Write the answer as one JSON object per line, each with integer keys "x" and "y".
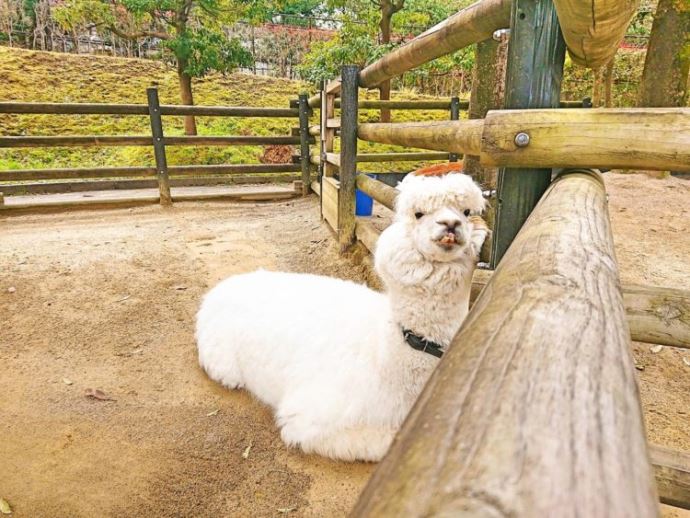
{"x": 142, "y": 140}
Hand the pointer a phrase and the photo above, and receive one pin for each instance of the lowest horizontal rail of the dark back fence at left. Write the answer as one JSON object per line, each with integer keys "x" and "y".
{"x": 113, "y": 172}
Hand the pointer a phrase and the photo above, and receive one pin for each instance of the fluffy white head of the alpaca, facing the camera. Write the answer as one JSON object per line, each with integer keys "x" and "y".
{"x": 435, "y": 212}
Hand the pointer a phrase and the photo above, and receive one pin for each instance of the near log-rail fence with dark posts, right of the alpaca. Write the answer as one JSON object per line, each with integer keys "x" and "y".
{"x": 487, "y": 435}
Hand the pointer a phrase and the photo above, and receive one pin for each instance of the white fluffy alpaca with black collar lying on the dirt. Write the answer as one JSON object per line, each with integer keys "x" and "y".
{"x": 330, "y": 356}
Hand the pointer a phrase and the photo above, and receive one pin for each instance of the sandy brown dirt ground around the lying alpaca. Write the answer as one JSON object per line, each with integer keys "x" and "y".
{"x": 106, "y": 300}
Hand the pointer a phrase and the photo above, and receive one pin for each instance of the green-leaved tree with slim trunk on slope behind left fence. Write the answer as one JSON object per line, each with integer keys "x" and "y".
{"x": 191, "y": 32}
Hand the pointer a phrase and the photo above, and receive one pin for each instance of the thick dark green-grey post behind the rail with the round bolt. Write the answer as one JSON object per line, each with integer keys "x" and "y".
{"x": 536, "y": 52}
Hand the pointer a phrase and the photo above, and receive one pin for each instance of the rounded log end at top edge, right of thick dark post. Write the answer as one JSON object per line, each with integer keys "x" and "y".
{"x": 593, "y": 29}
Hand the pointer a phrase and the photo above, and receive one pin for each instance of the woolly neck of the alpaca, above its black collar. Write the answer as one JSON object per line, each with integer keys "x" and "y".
{"x": 436, "y": 308}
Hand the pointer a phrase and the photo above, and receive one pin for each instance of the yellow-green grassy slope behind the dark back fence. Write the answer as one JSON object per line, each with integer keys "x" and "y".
{"x": 53, "y": 77}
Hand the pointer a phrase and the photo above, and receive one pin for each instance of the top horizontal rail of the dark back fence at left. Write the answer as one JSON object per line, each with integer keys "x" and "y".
{"x": 142, "y": 109}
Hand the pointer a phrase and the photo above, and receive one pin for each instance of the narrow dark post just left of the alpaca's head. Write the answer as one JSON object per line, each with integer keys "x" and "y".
{"x": 348, "y": 155}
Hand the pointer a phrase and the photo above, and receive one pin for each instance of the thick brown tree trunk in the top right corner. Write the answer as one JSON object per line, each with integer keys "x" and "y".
{"x": 665, "y": 76}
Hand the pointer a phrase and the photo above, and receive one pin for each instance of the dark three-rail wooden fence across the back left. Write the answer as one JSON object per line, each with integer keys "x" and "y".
{"x": 159, "y": 142}
